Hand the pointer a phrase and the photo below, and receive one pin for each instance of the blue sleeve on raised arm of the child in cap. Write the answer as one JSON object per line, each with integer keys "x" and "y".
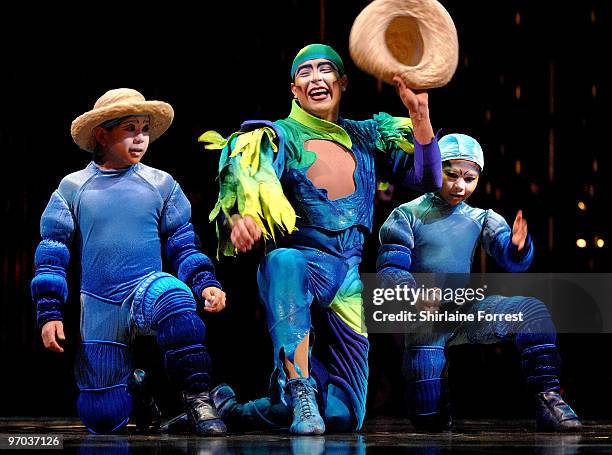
{"x": 497, "y": 241}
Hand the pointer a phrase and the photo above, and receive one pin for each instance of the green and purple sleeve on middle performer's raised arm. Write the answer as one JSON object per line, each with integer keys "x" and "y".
{"x": 414, "y": 165}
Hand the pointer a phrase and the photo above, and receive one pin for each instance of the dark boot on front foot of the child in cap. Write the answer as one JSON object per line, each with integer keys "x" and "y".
{"x": 554, "y": 414}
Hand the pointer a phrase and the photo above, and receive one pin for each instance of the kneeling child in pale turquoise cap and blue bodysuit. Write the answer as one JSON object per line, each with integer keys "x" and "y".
{"x": 411, "y": 243}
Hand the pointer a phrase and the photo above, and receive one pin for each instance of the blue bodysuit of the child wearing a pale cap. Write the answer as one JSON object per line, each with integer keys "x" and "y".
{"x": 428, "y": 235}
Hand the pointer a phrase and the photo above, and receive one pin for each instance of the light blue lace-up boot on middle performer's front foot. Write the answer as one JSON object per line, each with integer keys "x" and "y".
{"x": 306, "y": 416}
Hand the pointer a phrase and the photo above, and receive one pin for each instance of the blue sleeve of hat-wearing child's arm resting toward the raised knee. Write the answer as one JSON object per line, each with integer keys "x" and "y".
{"x": 182, "y": 247}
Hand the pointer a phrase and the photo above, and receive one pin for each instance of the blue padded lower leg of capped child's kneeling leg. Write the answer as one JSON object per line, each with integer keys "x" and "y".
{"x": 423, "y": 367}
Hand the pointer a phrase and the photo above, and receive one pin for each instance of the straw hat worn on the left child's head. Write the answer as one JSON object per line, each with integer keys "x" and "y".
{"x": 116, "y": 103}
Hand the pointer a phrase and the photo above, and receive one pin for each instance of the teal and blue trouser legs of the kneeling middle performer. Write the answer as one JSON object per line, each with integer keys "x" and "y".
{"x": 339, "y": 367}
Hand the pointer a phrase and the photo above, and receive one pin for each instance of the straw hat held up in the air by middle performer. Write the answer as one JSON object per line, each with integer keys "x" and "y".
{"x": 416, "y": 39}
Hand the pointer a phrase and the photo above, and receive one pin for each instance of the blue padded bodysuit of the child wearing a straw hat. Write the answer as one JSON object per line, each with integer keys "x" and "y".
{"x": 121, "y": 221}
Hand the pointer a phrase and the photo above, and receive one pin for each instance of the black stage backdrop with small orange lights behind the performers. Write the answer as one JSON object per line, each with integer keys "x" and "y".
{"x": 530, "y": 85}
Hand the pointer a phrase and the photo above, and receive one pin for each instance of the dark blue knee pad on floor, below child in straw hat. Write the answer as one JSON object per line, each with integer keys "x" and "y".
{"x": 105, "y": 411}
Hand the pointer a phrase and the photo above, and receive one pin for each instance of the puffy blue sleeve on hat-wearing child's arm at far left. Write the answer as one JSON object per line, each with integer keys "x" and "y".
{"x": 49, "y": 287}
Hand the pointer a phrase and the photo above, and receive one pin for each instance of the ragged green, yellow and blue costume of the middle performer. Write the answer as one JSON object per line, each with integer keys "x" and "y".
{"x": 262, "y": 173}
